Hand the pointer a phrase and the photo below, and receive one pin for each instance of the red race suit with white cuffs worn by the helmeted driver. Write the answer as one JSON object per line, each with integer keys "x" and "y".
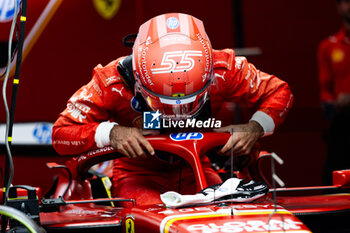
{"x": 105, "y": 101}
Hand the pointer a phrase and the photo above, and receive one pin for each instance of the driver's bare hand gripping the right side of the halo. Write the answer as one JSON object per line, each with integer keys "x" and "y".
{"x": 243, "y": 138}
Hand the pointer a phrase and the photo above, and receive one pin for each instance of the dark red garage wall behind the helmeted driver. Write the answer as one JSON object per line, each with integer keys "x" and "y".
{"x": 72, "y": 37}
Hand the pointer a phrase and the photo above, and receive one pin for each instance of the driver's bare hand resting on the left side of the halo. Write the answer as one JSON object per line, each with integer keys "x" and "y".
{"x": 130, "y": 141}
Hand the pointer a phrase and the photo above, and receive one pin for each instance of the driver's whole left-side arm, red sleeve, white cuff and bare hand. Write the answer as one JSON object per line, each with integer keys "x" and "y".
{"x": 88, "y": 122}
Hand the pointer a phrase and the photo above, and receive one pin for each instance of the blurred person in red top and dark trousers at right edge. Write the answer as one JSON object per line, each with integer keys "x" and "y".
{"x": 334, "y": 79}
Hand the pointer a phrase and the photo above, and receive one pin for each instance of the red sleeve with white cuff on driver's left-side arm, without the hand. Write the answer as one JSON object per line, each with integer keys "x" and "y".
{"x": 81, "y": 126}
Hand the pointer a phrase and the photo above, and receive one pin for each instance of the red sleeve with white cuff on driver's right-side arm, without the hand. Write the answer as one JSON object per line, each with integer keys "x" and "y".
{"x": 253, "y": 88}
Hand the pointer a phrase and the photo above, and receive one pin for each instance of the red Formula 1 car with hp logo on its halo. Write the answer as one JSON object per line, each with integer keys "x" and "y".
{"x": 74, "y": 207}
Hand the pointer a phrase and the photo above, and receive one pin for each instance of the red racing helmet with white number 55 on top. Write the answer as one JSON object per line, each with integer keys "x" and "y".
{"x": 173, "y": 64}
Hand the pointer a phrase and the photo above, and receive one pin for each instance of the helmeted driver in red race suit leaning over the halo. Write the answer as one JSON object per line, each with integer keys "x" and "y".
{"x": 173, "y": 70}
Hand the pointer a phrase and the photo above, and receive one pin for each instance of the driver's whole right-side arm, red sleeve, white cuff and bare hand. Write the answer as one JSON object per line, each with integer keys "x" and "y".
{"x": 246, "y": 85}
